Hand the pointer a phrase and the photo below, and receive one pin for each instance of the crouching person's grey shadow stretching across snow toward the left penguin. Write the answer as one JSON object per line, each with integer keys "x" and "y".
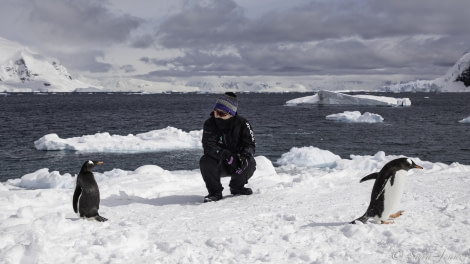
{"x": 124, "y": 199}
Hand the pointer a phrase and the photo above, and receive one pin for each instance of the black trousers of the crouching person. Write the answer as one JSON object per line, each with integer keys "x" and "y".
{"x": 212, "y": 170}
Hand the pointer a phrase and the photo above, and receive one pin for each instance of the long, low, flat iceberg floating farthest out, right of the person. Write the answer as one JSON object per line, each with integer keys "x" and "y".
{"x": 336, "y": 98}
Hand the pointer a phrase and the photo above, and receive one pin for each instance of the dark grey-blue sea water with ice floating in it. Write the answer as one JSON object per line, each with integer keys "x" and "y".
{"x": 429, "y": 129}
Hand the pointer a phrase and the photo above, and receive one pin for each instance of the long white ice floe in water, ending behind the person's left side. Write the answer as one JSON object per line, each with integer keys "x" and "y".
{"x": 169, "y": 138}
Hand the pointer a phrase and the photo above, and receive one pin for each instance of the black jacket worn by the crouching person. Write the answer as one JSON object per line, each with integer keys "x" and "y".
{"x": 234, "y": 134}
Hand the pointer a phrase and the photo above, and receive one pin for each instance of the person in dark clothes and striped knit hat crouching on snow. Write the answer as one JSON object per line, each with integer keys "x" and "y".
{"x": 229, "y": 145}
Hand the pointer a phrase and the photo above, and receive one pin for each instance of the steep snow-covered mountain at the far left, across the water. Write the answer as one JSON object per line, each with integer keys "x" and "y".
{"x": 22, "y": 70}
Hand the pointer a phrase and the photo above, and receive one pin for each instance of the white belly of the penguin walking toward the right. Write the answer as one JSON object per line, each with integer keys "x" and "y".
{"x": 393, "y": 193}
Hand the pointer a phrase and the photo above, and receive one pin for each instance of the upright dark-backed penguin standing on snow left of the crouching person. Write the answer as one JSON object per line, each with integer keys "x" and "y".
{"x": 86, "y": 198}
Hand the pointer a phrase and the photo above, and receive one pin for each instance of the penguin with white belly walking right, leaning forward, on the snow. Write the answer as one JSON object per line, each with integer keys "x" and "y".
{"x": 387, "y": 190}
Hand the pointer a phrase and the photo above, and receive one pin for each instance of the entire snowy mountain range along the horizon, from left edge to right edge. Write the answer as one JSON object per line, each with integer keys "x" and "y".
{"x": 22, "y": 70}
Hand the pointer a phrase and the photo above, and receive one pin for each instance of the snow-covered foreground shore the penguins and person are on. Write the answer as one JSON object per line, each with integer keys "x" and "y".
{"x": 299, "y": 213}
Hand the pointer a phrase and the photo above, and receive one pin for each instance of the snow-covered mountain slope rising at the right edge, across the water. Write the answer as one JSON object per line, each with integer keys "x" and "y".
{"x": 457, "y": 79}
